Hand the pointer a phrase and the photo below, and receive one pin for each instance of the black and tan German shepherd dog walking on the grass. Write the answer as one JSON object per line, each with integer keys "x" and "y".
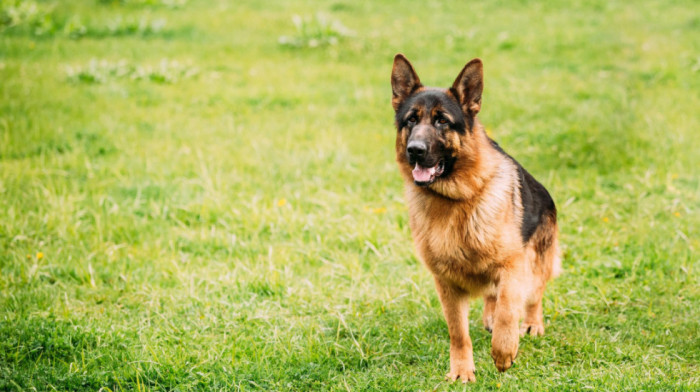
{"x": 480, "y": 222}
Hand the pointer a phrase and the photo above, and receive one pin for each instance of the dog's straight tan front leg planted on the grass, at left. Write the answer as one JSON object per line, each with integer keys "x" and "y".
{"x": 455, "y": 306}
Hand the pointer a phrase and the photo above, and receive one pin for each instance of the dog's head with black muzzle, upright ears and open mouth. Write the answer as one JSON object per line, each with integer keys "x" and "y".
{"x": 434, "y": 125}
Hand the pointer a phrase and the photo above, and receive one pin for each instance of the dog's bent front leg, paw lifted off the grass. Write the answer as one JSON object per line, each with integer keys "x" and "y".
{"x": 505, "y": 339}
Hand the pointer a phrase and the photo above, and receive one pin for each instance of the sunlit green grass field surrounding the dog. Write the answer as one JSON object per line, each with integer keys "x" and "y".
{"x": 202, "y": 195}
